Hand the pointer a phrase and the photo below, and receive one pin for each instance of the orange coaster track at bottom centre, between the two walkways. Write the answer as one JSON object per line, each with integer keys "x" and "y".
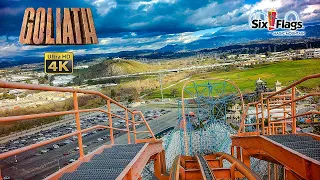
{"x": 210, "y": 167}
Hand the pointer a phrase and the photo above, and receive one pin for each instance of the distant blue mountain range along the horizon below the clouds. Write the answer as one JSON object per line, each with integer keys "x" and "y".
{"x": 220, "y": 41}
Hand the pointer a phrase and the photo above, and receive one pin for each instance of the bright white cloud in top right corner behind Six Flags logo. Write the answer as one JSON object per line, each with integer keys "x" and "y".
{"x": 233, "y": 13}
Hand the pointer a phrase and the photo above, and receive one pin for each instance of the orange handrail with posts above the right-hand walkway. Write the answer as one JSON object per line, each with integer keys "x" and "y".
{"x": 287, "y": 104}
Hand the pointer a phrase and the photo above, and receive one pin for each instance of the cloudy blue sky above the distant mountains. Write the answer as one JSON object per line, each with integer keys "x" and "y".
{"x": 126, "y": 25}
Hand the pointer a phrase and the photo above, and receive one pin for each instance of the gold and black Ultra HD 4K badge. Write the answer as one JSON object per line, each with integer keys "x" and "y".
{"x": 58, "y": 63}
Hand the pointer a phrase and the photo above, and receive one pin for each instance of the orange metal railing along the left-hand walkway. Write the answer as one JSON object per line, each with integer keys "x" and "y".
{"x": 77, "y": 112}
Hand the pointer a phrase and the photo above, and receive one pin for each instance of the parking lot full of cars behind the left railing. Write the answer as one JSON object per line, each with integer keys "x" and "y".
{"x": 40, "y": 162}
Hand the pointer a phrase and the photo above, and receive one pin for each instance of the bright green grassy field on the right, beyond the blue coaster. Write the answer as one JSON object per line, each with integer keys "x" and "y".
{"x": 285, "y": 72}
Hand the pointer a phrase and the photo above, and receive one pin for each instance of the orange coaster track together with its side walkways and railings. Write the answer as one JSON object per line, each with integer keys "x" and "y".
{"x": 271, "y": 141}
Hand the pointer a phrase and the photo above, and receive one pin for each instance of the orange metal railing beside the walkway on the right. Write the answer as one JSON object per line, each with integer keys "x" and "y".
{"x": 266, "y": 119}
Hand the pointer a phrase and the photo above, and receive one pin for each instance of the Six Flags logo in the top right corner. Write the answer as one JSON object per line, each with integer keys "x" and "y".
{"x": 270, "y": 21}
